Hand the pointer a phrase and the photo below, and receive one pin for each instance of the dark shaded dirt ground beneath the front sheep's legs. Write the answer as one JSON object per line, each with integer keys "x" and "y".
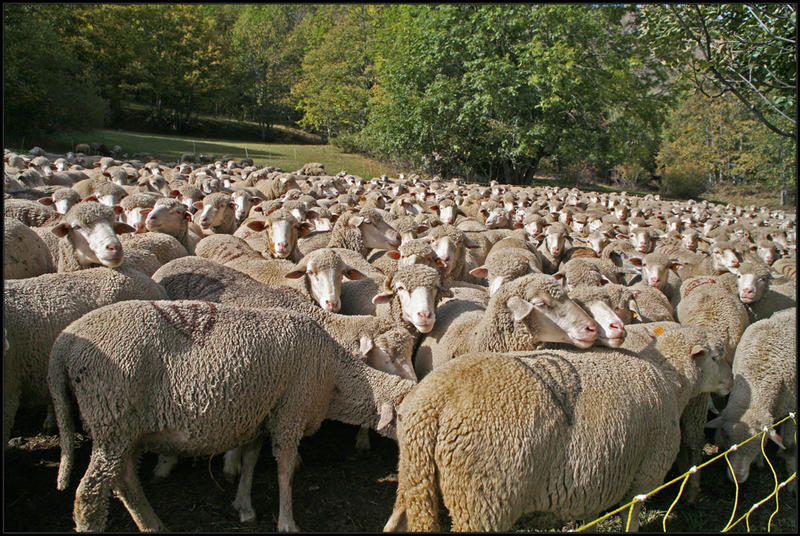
{"x": 335, "y": 490}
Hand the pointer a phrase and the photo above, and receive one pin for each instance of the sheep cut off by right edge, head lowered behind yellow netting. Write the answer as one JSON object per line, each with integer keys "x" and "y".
{"x": 764, "y": 389}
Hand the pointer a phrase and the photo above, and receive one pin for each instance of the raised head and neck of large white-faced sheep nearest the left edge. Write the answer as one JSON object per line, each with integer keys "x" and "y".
{"x": 88, "y": 234}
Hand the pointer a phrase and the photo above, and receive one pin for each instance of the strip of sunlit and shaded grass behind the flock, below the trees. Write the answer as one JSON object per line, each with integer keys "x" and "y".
{"x": 170, "y": 148}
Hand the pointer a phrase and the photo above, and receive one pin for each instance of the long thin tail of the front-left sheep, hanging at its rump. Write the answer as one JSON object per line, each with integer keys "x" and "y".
{"x": 60, "y": 392}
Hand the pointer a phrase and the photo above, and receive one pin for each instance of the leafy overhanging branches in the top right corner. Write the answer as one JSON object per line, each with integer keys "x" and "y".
{"x": 749, "y": 50}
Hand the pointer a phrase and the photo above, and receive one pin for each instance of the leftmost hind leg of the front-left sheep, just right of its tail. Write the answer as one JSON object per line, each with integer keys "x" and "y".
{"x": 90, "y": 509}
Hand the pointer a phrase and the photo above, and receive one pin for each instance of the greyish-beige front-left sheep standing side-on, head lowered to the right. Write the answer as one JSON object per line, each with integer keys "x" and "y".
{"x": 253, "y": 353}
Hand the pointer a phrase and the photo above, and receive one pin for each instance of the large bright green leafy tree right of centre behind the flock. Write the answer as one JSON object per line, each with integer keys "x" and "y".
{"x": 489, "y": 90}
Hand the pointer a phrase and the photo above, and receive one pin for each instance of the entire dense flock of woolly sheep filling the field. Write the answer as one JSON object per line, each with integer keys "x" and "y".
{"x": 534, "y": 350}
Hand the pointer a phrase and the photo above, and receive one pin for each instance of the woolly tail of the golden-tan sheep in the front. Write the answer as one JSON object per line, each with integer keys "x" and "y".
{"x": 417, "y": 477}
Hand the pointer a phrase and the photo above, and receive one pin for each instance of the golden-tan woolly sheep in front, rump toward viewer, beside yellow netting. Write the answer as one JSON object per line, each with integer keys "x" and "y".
{"x": 497, "y": 436}
